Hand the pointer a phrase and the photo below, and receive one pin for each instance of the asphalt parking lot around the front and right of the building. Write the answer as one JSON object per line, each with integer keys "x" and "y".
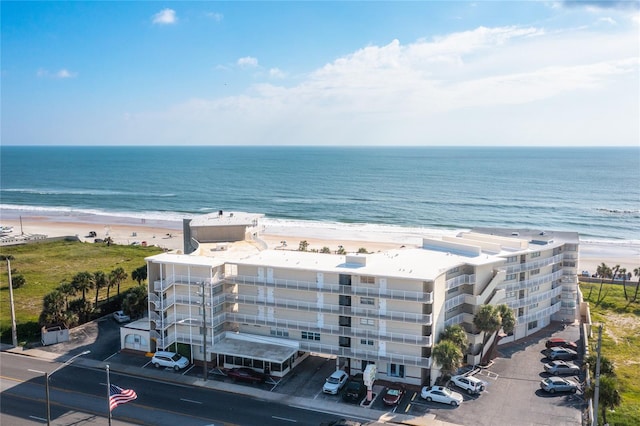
{"x": 512, "y": 396}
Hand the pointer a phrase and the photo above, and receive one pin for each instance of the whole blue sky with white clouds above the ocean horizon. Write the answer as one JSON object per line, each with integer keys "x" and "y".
{"x": 534, "y": 73}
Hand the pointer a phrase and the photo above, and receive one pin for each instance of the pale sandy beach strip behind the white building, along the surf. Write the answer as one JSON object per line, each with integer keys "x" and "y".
{"x": 168, "y": 235}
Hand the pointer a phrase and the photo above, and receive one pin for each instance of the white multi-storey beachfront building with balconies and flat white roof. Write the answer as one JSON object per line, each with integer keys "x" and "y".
{"x": 238, "y": 303}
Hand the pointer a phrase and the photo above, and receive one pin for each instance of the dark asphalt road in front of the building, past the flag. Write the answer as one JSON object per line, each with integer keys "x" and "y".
{"x": 81, "y": 390}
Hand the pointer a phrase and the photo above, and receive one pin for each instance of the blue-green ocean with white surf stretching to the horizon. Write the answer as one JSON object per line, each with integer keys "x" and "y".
{"x": 592, "y": 191}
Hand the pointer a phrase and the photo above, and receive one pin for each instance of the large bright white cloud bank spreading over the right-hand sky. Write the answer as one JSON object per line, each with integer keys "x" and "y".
{"x": 497, "y": 86}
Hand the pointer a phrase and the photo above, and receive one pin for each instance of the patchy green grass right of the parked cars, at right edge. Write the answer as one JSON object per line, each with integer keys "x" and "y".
{"x": 620, "y": 344}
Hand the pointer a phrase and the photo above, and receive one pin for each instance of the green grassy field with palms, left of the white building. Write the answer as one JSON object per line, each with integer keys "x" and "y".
{"x": 46, "y": 265}
